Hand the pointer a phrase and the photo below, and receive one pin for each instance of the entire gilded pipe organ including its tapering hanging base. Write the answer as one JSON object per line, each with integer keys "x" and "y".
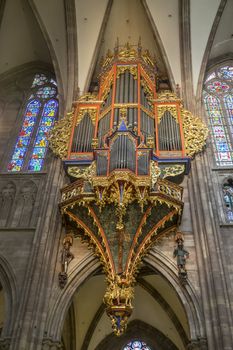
{"x": 125, "y": 151}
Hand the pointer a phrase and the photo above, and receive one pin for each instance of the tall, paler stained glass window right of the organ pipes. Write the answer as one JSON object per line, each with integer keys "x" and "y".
{"x": 218, "y": 100}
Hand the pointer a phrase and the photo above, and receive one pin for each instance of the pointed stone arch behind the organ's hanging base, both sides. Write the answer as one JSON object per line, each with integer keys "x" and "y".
{"x": 157, "y": 261}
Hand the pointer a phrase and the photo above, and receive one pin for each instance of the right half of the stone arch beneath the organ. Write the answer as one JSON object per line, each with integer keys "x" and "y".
{"x": 158, "y": 261}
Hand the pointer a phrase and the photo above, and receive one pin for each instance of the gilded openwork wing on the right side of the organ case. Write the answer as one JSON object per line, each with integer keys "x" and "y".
{"x": 195, "y": 133}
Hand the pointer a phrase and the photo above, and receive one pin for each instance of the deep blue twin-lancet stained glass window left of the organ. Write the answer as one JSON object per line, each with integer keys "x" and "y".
{"x": 39, "y": 117}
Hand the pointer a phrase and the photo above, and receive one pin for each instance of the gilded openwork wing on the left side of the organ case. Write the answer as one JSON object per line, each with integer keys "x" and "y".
{"x": 60, "y": 135}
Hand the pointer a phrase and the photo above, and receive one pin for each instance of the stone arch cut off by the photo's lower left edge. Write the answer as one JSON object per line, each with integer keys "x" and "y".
{"x": 8, "y": 282}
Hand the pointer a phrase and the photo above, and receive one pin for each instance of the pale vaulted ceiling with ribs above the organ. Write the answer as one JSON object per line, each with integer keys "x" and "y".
{"x": 72, "y": 35}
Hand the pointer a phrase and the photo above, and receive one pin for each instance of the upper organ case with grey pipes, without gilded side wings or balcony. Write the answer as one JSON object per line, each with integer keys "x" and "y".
{"x": 126, "y": 117}
